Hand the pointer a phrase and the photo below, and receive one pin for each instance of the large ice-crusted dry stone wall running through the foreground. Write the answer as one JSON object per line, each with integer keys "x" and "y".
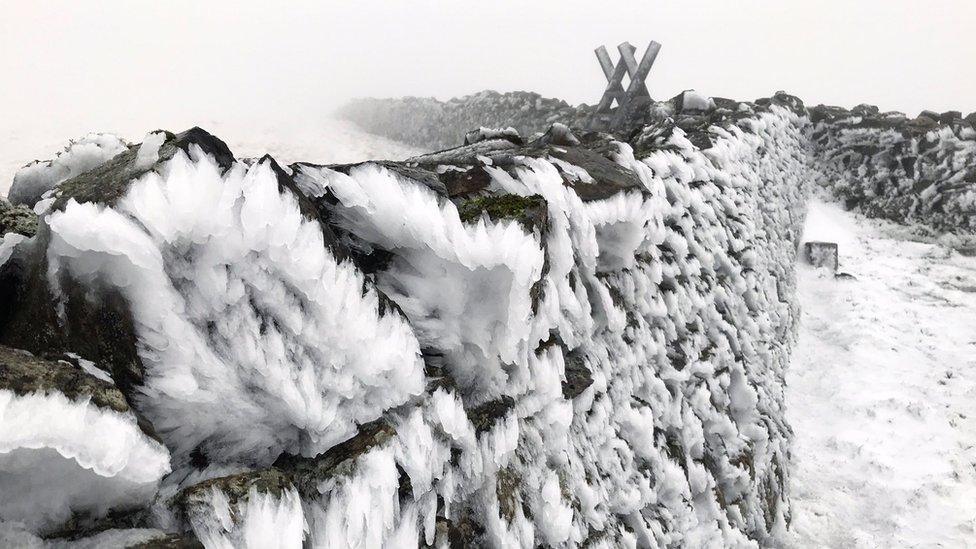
{"x": 576, "y": 340}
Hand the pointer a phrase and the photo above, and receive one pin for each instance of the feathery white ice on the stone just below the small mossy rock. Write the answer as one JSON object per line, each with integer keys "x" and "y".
{"x": 478, "y": 310}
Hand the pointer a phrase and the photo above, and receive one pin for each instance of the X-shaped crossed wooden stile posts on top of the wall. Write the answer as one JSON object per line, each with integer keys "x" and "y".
{"x": 636, "y": 93}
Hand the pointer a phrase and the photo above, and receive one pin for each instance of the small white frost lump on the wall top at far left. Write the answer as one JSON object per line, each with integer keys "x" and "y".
{"x": 81, "y": 155}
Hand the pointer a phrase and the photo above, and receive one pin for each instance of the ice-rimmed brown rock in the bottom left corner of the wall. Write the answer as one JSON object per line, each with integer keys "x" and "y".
{"x": 69, "y": 446}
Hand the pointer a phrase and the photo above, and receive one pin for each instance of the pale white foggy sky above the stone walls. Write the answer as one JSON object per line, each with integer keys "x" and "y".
{"x": 130, "y": 67}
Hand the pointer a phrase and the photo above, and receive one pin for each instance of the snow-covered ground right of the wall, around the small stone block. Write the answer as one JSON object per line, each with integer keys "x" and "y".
{"x": 882, "y": 392}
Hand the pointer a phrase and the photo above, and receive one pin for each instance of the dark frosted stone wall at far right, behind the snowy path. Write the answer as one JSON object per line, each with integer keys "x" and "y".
{"x": 910, "y": 171}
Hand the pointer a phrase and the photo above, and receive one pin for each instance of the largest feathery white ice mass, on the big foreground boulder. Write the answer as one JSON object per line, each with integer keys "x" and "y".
{"x": 254, "y": 339}
